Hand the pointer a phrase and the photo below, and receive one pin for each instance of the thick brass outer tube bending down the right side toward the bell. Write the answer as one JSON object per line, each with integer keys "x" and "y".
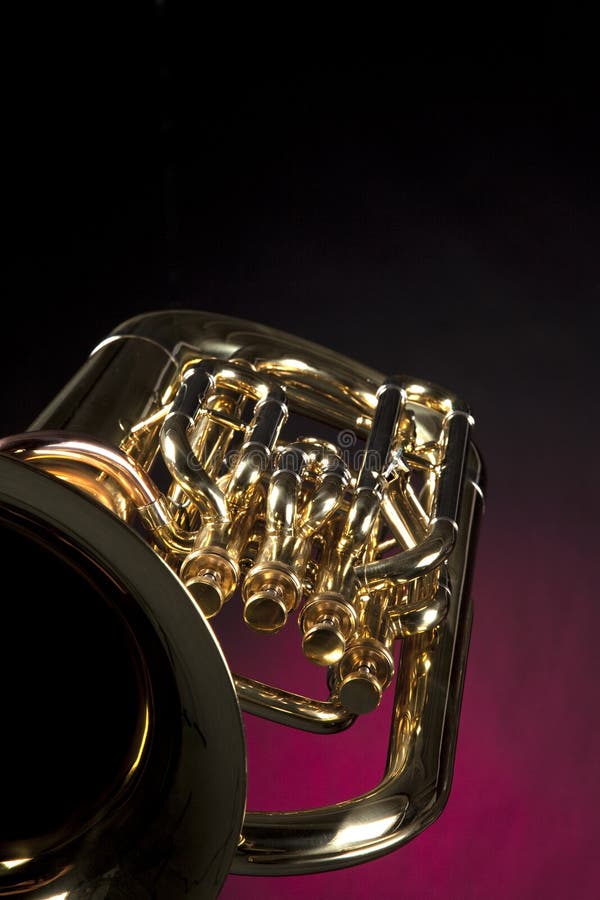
{"x": 414, "y": 789}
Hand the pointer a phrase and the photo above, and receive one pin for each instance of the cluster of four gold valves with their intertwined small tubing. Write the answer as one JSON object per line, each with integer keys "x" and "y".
{"x": 295, "y": 526}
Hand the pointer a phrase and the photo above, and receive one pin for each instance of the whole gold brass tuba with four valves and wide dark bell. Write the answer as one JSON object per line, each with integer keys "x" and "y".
{"x": 194, "y": 461}
